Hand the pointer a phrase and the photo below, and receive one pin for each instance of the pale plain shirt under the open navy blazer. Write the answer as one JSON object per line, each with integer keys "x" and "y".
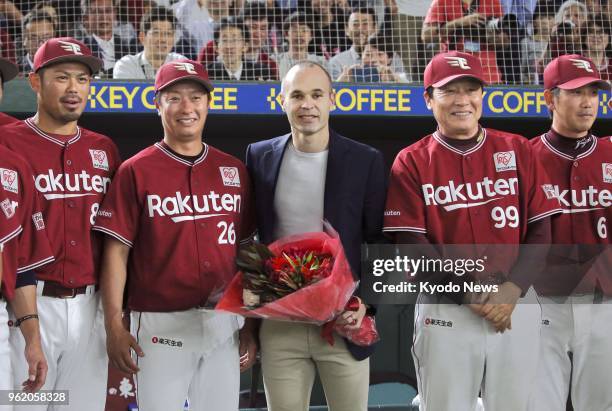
{"x": 300, "y": 191}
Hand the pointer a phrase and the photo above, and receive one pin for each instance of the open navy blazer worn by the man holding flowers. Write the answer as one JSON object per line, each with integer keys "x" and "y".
{"x": 354, "y": 200}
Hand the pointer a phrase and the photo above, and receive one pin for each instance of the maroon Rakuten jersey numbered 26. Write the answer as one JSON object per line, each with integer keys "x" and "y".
{"x": 183, "y": 222}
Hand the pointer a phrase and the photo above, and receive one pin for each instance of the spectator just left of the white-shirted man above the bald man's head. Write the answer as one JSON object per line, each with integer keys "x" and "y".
{"x": 260, "y": 47}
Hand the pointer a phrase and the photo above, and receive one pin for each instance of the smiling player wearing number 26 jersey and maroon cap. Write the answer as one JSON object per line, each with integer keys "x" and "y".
{"x": 174, "y": 218}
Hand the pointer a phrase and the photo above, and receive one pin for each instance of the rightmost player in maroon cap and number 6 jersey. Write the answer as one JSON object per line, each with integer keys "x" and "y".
{"x": 576, "y": 288}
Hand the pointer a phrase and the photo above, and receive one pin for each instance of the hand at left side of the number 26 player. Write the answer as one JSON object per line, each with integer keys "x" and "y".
{"x": 119, "y": 342}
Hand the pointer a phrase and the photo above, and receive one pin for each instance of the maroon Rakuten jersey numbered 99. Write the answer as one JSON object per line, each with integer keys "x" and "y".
{"x": 485, "y": 195}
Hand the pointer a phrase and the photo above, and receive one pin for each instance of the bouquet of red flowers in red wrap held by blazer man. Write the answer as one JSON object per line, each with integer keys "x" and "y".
{"x": 299, "y": 278}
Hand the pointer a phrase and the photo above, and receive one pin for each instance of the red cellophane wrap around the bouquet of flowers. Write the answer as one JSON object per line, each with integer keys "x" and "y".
{"x": 317, "y": 303}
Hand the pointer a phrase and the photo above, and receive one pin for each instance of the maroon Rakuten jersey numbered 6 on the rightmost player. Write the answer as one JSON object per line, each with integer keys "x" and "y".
{"x": 583, "y": 187}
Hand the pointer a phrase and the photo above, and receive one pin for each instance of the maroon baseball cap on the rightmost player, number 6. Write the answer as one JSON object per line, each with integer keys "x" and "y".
{"x": 572, "y": 71}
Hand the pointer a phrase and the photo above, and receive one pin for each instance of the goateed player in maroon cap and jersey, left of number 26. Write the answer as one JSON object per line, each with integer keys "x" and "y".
{"x": 72, "y": 170}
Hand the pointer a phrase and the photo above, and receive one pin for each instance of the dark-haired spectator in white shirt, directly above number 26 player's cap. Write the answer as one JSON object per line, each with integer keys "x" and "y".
{"x": 157, "y": 31}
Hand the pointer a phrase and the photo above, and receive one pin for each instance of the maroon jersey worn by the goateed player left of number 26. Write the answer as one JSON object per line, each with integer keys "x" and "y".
{"x": 72, "y": 174}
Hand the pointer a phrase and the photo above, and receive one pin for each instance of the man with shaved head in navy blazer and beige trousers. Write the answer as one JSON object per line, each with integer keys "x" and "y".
{"x": 299, "y": 179}
